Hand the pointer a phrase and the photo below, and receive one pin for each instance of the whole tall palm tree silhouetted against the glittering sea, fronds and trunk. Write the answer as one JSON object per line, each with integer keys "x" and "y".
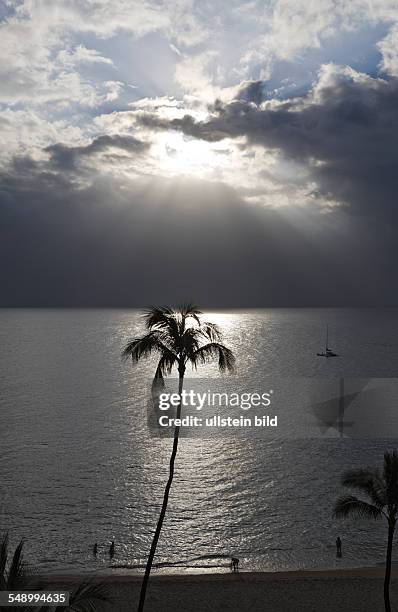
{"x": 179, "y": 337}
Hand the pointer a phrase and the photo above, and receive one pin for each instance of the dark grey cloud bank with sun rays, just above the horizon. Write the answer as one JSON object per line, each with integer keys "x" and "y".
{"x": 125, "y": 243}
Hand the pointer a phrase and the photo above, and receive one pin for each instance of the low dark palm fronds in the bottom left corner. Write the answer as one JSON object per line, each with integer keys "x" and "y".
{"x": 17, "y": 575}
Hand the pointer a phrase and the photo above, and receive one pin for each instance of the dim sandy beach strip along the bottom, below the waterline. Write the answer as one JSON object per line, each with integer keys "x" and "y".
{"x": 294, "y": 591}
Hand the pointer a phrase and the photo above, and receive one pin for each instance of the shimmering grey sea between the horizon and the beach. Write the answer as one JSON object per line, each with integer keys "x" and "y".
{"x": 78, "y": 465}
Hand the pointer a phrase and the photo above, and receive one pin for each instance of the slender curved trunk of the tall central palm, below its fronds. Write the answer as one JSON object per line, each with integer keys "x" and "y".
{"x": 156, "y": 536}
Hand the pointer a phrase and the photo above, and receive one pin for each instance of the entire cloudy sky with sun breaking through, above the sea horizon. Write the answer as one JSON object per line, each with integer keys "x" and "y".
{"x": 236, "y": 155}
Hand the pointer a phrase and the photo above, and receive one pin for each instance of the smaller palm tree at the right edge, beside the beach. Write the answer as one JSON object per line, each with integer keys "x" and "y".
{"x": 380, "y": 487}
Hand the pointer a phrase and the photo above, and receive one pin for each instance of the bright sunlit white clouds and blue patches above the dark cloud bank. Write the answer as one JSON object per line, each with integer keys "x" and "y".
{"x": 73, "y": 75}
